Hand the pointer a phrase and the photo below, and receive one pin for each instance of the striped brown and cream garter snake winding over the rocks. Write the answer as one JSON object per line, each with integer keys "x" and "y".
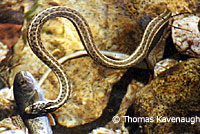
{"x": 86, "y": 37}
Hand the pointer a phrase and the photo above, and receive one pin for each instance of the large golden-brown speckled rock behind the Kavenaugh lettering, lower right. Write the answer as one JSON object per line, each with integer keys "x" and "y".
{"x": 175, "y": 94}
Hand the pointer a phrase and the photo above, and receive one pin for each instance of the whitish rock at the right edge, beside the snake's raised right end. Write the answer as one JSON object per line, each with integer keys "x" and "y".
{"x": 186, "y": 35}
